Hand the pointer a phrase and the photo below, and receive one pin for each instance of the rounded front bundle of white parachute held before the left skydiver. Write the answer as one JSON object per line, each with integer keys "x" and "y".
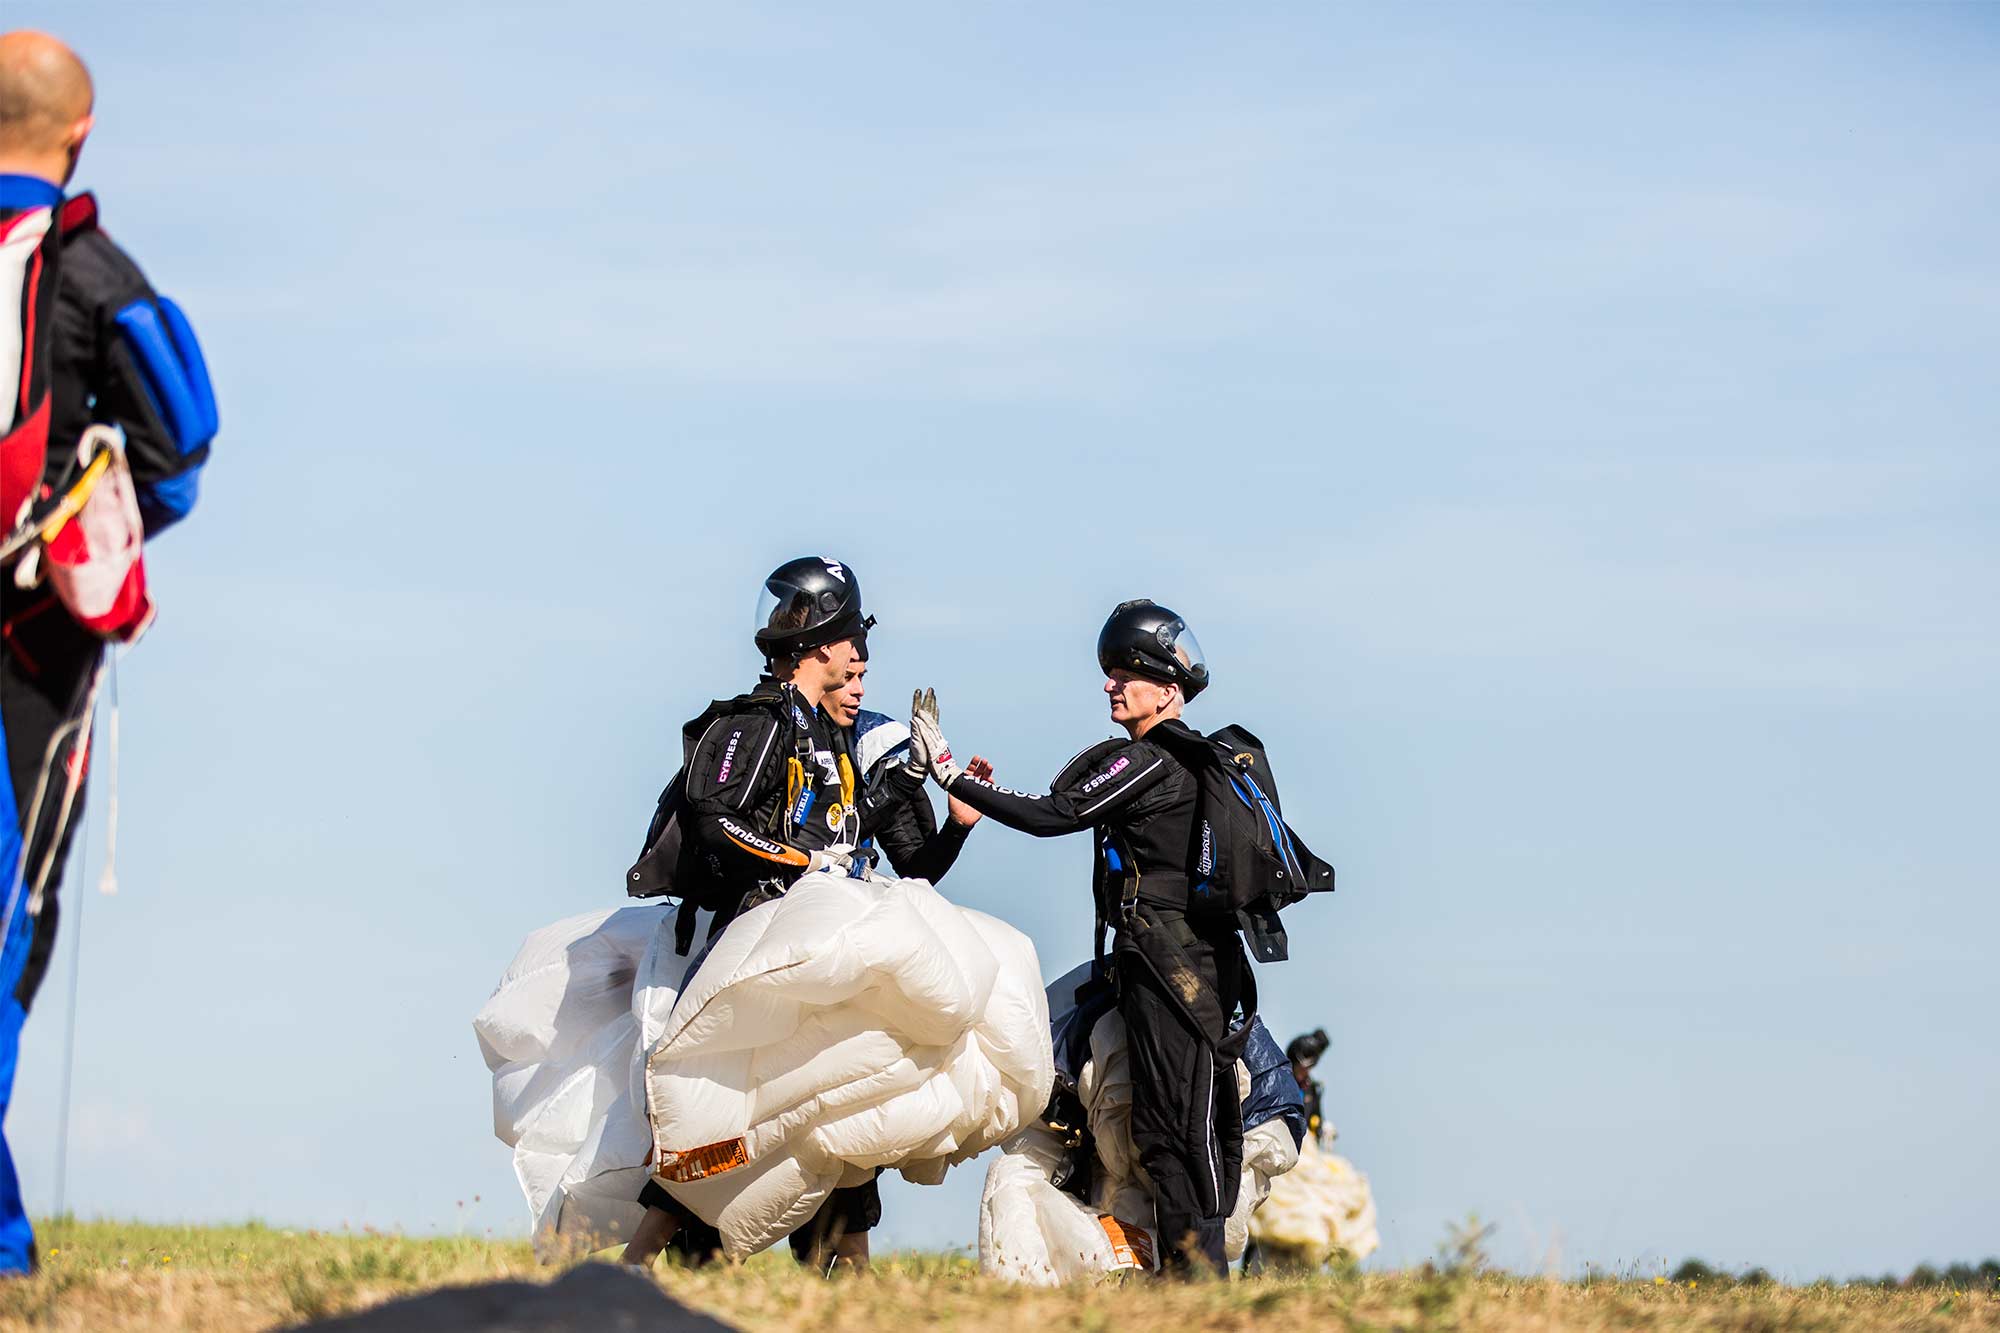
{"x": 843, "y": 1028}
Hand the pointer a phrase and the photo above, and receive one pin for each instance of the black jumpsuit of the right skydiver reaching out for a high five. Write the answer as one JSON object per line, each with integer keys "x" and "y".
{"x": 1179, "y": 982}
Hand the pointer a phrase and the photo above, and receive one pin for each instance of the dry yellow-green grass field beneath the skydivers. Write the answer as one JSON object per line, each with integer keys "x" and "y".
{"x": 117, "y": 1276}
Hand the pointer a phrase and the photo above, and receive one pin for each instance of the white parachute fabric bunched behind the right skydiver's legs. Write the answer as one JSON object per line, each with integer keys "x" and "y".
{"x": 1037, "y": 1234}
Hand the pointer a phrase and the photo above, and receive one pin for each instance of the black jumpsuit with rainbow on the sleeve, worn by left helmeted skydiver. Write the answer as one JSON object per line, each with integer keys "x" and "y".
{"x": 769, "y": 784}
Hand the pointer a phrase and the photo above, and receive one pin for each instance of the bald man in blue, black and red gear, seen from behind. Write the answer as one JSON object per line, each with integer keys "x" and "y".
{"x": 105, "y": 427}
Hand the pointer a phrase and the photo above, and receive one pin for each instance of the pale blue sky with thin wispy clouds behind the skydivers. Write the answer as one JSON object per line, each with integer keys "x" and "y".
{"x": 1569, "y": 431}
